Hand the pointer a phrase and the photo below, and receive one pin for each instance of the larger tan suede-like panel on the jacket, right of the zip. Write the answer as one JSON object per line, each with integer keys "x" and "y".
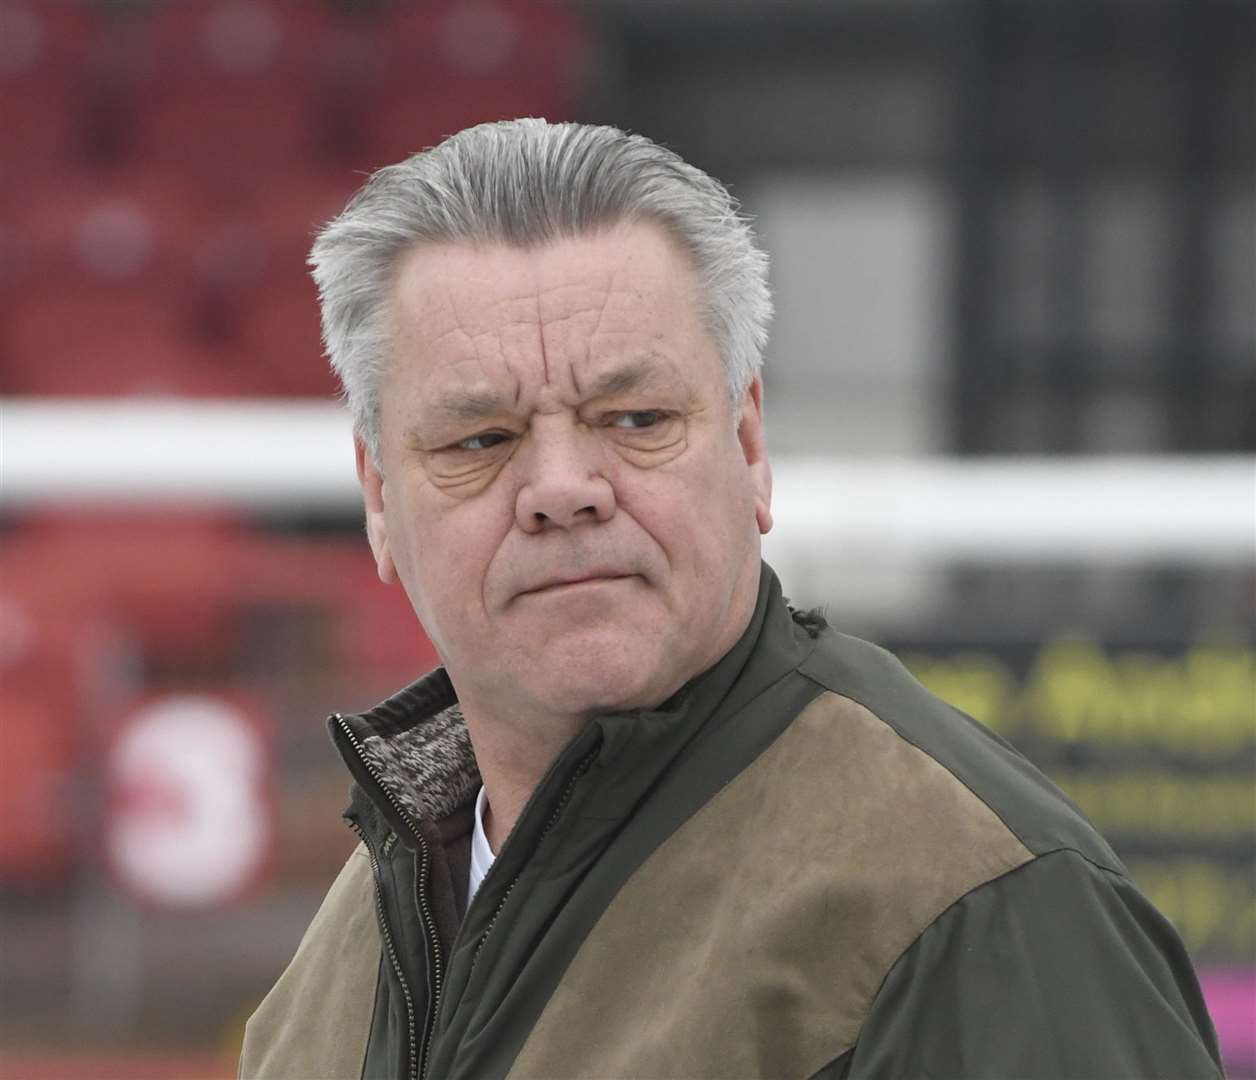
{"x": 753, "y": 941}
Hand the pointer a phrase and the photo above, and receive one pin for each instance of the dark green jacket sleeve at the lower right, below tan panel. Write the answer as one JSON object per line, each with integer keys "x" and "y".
{"x": 1059, "y": 969}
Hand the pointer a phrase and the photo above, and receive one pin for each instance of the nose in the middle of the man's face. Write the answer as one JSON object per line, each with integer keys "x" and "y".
{"x": 563, "y": 484}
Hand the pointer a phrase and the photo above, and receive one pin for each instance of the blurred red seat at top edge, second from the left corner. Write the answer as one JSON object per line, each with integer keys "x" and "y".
{"x": 232, "y": 90}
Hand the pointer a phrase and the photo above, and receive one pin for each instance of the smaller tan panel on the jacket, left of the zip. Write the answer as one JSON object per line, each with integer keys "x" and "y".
{"x": 316, "y": 1022}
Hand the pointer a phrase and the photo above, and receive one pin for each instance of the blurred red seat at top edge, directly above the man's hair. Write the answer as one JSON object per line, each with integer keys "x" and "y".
{"x": 454, "y": 63}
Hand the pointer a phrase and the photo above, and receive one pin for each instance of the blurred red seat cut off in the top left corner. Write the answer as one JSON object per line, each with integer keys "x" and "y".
{"x": 47, "y": 67}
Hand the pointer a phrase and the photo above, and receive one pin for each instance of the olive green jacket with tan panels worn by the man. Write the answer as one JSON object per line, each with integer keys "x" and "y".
{"x": 803, "y": 866}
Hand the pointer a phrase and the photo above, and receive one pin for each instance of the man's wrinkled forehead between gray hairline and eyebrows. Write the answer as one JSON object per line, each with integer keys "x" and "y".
{"x": 485, "y": 313}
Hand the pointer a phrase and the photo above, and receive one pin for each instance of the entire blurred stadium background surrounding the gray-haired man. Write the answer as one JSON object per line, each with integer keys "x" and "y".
{"x": 1012, "y": 402}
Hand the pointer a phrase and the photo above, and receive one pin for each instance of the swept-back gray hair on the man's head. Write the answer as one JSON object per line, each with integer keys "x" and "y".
{"x": 528, "y": 183}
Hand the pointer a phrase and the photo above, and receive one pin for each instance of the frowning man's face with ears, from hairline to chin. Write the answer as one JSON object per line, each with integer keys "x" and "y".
{"x": 566, "y": 492}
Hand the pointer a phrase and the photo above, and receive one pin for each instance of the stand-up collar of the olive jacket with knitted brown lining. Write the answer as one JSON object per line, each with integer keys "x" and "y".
{"x": 413, "y": 758}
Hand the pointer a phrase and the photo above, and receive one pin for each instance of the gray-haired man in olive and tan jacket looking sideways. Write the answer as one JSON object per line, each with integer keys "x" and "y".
{"x": 647, "y": 821}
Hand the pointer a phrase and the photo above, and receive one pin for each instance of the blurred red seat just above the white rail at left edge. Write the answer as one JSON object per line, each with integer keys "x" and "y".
{"x": 106, "y": 303}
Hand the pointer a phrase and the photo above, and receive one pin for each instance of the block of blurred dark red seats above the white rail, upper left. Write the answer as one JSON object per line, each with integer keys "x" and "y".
{"x": 192, "y": 150}
